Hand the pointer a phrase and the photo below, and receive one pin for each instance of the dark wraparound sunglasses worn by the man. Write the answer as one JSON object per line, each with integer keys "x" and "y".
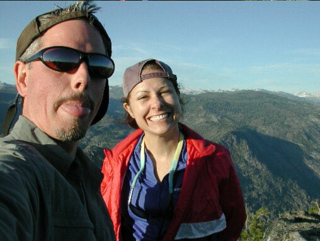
{"x": 64, "y": 59}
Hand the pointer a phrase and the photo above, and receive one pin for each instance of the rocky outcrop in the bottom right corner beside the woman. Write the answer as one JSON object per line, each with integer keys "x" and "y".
{"x": 294, "y": 226}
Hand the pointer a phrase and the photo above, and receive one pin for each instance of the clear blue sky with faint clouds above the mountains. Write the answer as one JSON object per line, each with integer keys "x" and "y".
{"x": 209, "y": 45}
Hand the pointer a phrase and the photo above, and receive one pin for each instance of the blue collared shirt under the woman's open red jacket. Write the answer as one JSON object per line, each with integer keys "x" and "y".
{"x": 150, "y": 210}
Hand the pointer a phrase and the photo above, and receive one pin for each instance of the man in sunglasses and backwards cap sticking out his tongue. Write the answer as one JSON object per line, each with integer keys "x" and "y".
{"x": 49, "y": 190}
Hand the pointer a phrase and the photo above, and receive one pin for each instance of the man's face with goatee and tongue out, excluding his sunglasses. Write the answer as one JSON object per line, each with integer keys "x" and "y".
{"x": 63, "y": 104}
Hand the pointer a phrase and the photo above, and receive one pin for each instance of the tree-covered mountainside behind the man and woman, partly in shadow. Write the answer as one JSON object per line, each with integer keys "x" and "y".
{"x": 274, "y": 140}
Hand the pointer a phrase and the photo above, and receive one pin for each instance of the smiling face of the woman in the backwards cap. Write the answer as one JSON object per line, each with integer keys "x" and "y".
{"x": 155, "y": 106}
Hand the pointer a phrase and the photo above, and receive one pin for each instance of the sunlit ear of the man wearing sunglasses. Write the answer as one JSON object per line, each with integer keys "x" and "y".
{"x": 20, "y": 73}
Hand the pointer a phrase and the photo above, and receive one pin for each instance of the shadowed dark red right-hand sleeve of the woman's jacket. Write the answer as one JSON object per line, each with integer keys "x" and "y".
{"x": 232, "y": 203}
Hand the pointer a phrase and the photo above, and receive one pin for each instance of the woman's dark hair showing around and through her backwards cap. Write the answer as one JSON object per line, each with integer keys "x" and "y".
{"x": 154, "y": 66}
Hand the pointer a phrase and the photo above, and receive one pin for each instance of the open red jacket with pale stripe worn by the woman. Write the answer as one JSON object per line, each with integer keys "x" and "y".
{"x": 210, "y": 199}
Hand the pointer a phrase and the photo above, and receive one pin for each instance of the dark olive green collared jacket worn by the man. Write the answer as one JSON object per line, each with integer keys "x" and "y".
{"x": 45, "y": 194}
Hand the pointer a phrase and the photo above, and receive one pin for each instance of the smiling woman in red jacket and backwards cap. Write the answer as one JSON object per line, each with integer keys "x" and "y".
{"x": 164, "y": 181}
